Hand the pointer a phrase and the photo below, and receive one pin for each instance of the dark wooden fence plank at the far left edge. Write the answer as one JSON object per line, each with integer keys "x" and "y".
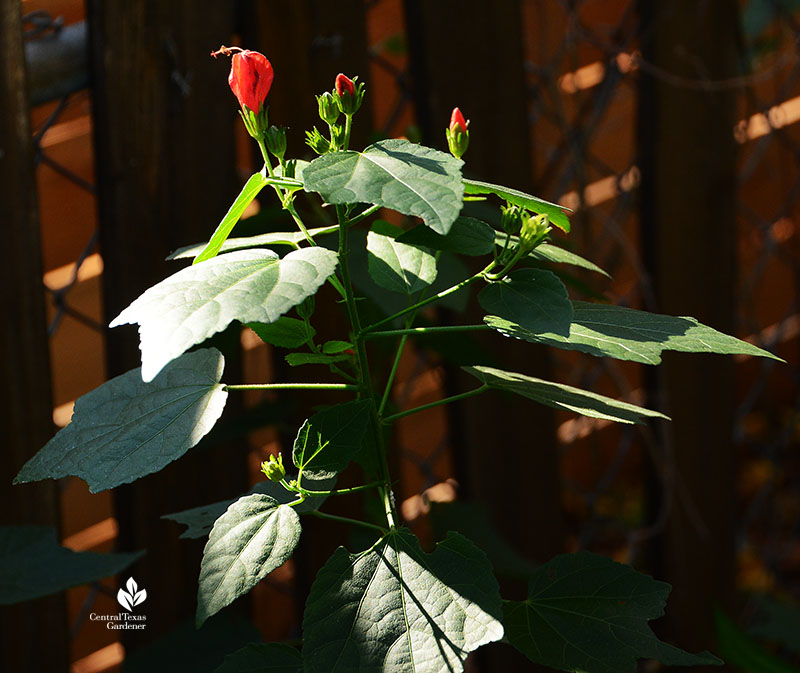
{"x": 33, "y": 636}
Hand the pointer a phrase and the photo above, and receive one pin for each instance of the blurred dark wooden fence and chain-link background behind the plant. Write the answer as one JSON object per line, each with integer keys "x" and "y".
{"x": 670, "y": 127}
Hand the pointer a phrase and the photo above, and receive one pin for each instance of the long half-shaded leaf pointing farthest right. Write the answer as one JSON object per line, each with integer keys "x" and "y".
{"x": 627, "y": 334}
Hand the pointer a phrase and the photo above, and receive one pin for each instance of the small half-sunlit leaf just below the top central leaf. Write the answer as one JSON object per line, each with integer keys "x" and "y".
{"x": 395, "y": 266}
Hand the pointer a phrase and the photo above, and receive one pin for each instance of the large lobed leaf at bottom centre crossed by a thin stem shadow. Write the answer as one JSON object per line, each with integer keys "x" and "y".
{"x": 396, "y": 608}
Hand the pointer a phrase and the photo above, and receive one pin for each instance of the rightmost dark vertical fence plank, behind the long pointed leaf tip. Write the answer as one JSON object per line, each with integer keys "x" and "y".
{"x": 688, "y": 225}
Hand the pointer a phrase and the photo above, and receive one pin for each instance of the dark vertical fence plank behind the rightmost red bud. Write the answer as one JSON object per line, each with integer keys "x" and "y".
{"x": 479, "y": 67}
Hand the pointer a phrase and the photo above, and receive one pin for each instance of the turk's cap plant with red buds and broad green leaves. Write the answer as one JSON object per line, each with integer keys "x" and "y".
{"x": 397, "y": 607}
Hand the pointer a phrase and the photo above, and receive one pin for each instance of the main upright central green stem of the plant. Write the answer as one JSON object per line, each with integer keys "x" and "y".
{"x": 363, "y": 370}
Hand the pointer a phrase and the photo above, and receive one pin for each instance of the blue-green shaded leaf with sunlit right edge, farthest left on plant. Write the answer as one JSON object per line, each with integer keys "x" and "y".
{"x": 126, "y": 428}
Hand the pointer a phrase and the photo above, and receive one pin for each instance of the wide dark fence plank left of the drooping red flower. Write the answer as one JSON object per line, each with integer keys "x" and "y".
{"x": 164, "y": 122}
